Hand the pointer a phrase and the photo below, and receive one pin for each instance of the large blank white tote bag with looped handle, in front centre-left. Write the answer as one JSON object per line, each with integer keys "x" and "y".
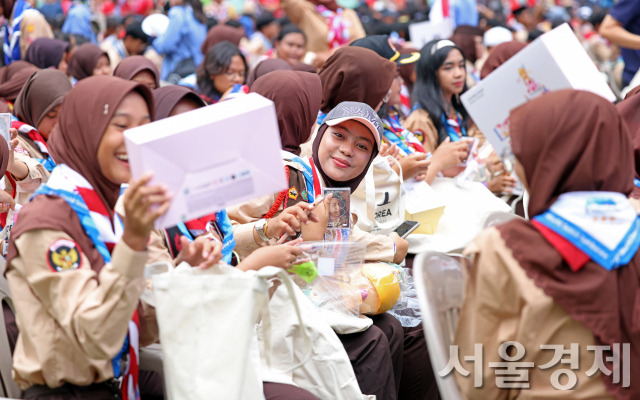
{"x": 207, "y": 320}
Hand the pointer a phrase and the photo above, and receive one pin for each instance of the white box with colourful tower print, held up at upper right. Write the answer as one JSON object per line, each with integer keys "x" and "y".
{"x": 554, "y": 61}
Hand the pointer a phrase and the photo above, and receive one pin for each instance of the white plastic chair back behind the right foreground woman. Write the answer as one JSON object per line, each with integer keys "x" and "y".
{"x": 440, "y": 288}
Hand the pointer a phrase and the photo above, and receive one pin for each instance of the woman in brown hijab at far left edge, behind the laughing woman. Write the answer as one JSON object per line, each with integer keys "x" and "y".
{"x": 36, "y": 108}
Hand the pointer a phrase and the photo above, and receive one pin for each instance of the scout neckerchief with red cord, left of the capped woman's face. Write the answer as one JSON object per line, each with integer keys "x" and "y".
{"x": 300, "y": 185}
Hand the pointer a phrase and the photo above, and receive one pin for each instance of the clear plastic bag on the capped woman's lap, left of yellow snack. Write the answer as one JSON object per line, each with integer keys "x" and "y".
{"x": 336, "y": 286}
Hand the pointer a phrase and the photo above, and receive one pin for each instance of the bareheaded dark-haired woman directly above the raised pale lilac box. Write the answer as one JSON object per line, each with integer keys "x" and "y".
{"x": 223, "y": 71}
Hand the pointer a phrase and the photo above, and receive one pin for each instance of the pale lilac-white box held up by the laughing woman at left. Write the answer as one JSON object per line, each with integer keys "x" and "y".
{"x": 212, "y": 157}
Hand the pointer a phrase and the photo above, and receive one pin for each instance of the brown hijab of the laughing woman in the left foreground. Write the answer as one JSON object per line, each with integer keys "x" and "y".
{"x": 83, "y": 119}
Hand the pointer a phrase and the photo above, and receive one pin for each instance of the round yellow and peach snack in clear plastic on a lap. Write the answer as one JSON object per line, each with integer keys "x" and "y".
{"x": 380, "y": 288}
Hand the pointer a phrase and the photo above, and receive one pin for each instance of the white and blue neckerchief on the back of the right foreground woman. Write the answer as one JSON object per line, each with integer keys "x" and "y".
{"x": 602, "y": 225}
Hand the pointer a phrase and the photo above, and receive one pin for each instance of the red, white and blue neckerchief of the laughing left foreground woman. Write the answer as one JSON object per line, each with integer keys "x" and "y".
{"x": 96, "y": 223}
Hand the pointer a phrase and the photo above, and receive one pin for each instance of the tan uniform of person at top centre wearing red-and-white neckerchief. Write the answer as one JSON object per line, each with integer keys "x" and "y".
{"x": 304, "y": 14}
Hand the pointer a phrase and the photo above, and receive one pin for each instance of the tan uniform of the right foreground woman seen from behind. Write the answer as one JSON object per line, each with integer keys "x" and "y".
{"x": 503, "y": 304}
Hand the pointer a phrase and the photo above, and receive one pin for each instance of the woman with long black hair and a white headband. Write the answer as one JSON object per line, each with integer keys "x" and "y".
{"x": 439, "y": 118}
